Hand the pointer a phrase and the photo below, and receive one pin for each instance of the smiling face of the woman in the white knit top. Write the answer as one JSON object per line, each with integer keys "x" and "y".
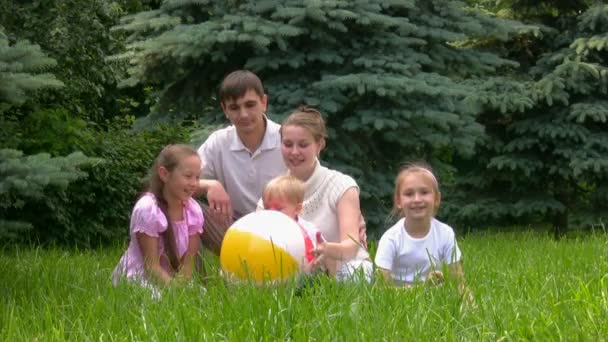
{"x": 300, "y": 150}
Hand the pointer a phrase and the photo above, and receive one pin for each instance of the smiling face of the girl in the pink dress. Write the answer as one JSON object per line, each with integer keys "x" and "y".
{"x": 181, "y": 182}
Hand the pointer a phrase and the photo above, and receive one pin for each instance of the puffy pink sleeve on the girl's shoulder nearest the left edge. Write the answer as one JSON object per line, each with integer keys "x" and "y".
{"x": 147, "y": 217}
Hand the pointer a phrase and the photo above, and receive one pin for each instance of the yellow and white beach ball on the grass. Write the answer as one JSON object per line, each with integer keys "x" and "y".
{"x": 263, "y": 246}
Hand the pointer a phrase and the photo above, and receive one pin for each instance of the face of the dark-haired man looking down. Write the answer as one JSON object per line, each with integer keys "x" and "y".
{"x": 246, "y": 113}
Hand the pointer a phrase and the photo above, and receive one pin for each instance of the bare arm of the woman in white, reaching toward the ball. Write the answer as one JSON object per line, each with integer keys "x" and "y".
{"x": 349, "y": 216}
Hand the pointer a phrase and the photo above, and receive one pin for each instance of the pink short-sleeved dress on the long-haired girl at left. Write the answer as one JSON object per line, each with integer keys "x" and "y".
{"x": 148, "y": 218}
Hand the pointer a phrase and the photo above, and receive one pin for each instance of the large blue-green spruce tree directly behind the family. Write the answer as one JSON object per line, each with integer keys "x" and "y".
{"x": 391, "y": 76}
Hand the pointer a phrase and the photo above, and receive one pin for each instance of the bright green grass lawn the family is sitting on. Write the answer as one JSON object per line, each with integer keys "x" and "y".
{"x": 526, "y": 286}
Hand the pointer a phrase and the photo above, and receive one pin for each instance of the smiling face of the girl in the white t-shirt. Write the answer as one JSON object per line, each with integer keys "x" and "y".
{"x": 417, "y": 197}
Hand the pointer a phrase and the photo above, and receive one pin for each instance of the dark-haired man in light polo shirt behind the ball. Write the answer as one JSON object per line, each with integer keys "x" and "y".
{"x": 240, "y": 159}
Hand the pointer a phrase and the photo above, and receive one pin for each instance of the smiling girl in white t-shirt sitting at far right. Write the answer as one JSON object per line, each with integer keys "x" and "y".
{"x": 418, "y": 245}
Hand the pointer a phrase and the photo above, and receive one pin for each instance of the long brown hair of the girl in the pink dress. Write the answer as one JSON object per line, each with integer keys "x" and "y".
{"x": 169, "y": 158}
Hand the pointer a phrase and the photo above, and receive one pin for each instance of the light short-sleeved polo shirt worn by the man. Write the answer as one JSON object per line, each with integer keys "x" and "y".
{"x": 242, "y": 173}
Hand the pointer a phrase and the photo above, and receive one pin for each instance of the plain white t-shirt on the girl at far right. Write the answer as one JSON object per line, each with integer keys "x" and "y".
{"x": 410, "y": 259}
